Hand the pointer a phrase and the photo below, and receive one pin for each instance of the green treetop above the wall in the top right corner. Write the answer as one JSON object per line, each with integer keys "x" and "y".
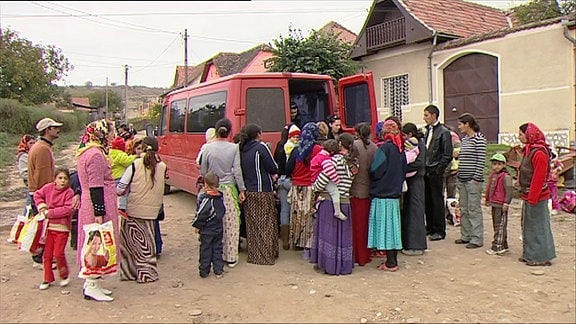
{"x": 538, "y": 10}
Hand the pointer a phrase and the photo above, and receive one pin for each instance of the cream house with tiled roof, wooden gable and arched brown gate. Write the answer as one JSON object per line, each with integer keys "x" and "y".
{"x": 466, "y": 57}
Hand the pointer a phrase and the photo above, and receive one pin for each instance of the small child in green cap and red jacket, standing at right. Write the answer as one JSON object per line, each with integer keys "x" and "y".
{"x": 499, "y": 194}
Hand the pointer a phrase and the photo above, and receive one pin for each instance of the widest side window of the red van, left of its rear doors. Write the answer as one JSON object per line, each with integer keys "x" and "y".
{"x": 205, "y": 110}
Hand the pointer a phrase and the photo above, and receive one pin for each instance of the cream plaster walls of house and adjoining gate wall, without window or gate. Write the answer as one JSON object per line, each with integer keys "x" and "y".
{"x": 536, "y": 75}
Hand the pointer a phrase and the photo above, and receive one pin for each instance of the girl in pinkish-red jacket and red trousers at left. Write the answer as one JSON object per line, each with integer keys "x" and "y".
{"x": 54, "y": 202}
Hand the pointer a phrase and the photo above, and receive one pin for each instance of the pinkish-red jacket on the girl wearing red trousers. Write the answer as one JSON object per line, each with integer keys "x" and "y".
{"x": 59, "y": 204}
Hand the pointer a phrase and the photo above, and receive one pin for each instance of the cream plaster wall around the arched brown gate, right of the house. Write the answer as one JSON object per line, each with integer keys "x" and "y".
{"x": 536, "y": 76}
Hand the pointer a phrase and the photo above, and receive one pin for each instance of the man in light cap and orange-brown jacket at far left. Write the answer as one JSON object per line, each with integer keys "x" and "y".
{"x": 41, "y": 163}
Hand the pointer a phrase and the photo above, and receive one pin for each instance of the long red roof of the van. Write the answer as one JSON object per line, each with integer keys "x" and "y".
{"x": 266, "y": 75}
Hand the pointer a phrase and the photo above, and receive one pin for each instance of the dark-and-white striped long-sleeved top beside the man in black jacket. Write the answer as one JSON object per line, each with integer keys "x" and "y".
{"x": 472, "y": 158}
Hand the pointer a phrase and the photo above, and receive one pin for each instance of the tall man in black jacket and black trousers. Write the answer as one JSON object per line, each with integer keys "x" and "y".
{"x": 438, "y": 156}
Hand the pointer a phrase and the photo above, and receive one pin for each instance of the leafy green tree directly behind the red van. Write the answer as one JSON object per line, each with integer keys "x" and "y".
{"x": 318, "y": 53}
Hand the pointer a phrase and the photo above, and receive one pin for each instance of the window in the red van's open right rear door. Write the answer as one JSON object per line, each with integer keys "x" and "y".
{"x": 357, "y": 104}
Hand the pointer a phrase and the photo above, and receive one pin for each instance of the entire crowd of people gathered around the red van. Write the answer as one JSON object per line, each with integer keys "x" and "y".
{"x": 342, "y": 200}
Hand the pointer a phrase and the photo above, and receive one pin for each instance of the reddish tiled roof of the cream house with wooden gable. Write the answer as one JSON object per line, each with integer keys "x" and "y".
{"x": 456, "y": 17}
